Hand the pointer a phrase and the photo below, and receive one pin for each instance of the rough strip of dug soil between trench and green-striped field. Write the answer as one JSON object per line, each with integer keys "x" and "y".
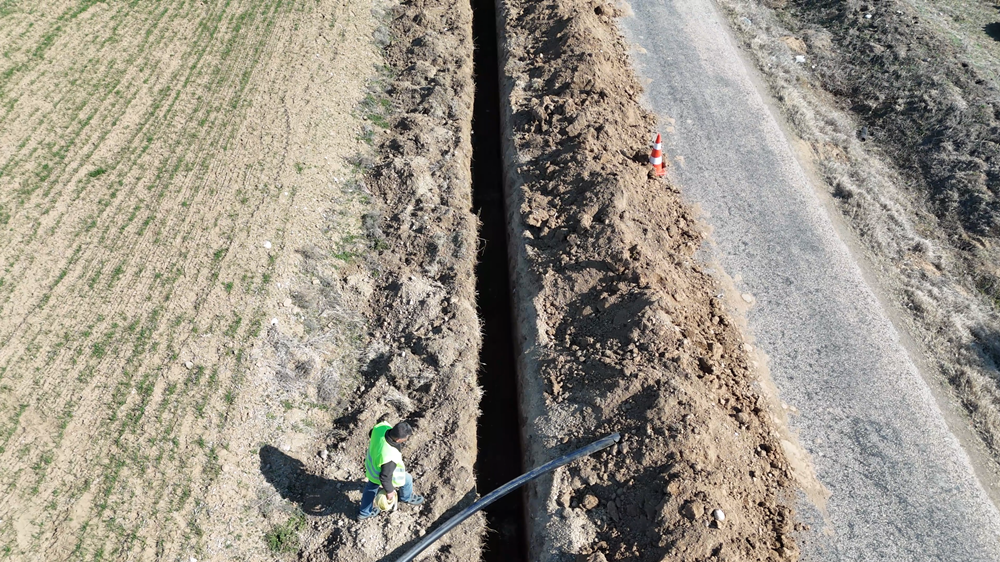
{"x": 424, "y": 340}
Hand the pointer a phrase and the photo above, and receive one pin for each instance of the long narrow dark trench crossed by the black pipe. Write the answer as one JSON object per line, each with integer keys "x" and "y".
{"x": 499, "y": 430}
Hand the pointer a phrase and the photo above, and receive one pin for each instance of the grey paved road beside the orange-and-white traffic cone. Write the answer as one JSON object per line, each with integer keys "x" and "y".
{"x": 902, "y": 486}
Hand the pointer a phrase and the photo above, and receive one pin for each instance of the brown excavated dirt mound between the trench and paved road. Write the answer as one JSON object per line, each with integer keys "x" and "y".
{"x": 621, "y": 328}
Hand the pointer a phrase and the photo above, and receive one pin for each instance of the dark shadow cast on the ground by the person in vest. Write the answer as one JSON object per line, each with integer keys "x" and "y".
{"x": 313, "y": 494}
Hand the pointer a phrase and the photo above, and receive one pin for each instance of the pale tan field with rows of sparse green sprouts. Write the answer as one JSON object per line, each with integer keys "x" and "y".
{"x": 178, "y": 213}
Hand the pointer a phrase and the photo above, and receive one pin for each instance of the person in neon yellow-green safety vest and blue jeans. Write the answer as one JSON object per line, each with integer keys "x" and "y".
{"x": 385, "y": 469}
